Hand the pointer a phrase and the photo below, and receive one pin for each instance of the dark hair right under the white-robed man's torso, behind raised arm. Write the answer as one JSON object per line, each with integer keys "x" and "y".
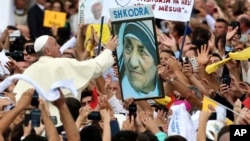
{"x": 74, "y": 105}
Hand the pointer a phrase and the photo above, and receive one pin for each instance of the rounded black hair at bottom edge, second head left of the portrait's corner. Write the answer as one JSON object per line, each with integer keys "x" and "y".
{"x": 91, "y": 133}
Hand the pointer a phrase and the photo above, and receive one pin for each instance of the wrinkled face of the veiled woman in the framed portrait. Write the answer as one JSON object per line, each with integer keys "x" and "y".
{"x": 139, "y": 64}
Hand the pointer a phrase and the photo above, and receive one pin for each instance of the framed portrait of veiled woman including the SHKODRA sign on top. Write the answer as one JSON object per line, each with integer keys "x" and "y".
{"x": 137, "y": 52}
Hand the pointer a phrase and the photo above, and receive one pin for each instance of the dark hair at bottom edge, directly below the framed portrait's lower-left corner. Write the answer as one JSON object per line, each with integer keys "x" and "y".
{"x": 125, "y": 136}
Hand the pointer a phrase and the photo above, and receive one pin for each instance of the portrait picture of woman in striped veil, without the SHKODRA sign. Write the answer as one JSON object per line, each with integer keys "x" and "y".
{"x": 137, "y": 60}
